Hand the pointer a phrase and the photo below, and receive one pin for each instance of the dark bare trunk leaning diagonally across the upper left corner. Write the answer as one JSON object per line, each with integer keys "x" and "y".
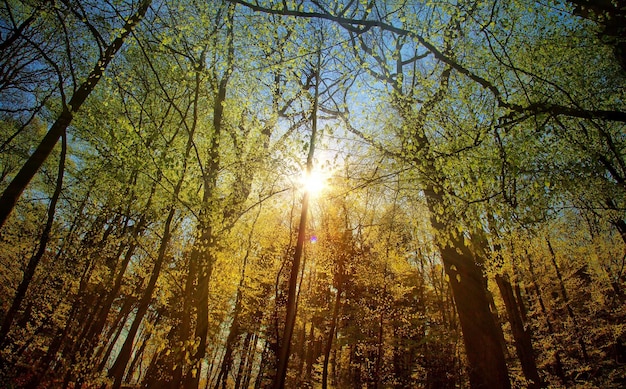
{"x": 13, "y": 192}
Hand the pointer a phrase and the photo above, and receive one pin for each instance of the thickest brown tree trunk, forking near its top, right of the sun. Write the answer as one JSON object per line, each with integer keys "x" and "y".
{"x": 481, "y": 335}
